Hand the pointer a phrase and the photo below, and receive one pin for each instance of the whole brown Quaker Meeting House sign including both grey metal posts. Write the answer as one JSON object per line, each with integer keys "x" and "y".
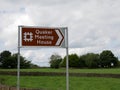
{"x": 29, "y": 36}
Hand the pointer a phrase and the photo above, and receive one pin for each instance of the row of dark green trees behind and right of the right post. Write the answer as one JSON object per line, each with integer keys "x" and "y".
{"x": 106, "y": 59}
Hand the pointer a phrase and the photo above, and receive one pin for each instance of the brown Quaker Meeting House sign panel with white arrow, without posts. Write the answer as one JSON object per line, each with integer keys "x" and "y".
{"x": 34, "y": 36}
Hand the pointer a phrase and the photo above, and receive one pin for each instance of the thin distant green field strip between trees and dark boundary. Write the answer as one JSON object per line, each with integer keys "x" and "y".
{"x": 111, "y": 71}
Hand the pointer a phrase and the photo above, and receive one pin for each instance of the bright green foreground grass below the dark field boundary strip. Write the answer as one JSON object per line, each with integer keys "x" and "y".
{"x": 58, "y": 83}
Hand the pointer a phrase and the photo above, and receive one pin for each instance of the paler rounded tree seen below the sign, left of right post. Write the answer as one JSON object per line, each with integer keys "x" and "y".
{"x": 55, "y": 60}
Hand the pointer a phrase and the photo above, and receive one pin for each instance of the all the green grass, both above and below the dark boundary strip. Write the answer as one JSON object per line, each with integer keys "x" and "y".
{"x": 59, "y": 82}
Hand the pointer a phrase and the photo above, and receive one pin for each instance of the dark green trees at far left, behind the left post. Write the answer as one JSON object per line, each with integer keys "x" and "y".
{"x": 10, "y": 61}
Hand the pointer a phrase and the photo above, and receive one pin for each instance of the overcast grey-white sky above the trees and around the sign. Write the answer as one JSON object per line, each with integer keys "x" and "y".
{"x": 93, "y": 25}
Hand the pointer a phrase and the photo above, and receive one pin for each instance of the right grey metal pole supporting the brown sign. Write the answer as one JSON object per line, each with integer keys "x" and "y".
{"x": 67, "y": 62}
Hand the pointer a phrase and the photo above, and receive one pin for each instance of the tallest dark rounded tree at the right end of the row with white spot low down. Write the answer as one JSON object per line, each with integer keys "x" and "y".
{"x": 108, "y": 59}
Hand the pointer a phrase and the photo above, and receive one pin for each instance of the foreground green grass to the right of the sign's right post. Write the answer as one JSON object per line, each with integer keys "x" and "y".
{"x": 94, "y": 83}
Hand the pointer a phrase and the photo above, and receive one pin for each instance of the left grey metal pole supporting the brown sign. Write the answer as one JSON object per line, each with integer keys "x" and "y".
{"x": 18, "y": 64}
